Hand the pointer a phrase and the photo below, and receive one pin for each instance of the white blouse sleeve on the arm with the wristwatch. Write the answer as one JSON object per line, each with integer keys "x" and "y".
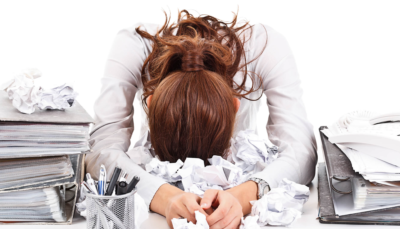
{"x": 287, "y": 127}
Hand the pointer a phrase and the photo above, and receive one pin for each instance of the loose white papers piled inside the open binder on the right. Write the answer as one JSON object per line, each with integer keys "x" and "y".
{"x": 373, "y": 148}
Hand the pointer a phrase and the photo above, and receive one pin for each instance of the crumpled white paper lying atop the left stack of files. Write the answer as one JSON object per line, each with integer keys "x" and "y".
{"x": 25, "y": 95}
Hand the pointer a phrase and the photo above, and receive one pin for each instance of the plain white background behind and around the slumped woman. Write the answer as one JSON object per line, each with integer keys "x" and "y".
{"x": 347, "y": 52}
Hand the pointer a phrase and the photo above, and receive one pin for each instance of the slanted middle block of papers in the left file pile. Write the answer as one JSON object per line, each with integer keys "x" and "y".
{"x": 15, "y": 173}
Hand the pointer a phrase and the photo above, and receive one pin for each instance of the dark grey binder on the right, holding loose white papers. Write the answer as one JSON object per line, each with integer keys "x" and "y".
{"x": 336, "y": 171}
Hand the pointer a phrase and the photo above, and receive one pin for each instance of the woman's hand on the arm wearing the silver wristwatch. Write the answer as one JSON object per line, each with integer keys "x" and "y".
{"x": 228, "y": 213}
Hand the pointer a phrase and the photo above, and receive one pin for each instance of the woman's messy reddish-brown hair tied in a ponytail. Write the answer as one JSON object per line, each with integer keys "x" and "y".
{"x": 190, "y": 75}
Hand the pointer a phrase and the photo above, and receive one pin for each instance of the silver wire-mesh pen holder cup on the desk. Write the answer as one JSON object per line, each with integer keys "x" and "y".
{"x": 110, "y": 212}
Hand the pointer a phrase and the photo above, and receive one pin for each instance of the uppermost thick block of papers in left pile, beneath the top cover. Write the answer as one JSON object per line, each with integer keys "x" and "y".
{"x": 23, "y": 139}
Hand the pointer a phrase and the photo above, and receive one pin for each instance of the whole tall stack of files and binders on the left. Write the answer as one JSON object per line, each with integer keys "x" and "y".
{"x": 40, "y": 156}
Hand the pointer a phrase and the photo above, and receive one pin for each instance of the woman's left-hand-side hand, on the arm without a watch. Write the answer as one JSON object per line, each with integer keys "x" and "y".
{"x": 175, "y": 203}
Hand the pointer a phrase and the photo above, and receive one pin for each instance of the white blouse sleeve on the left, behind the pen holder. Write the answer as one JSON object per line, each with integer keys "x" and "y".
{"x": 110, "y": 137}
